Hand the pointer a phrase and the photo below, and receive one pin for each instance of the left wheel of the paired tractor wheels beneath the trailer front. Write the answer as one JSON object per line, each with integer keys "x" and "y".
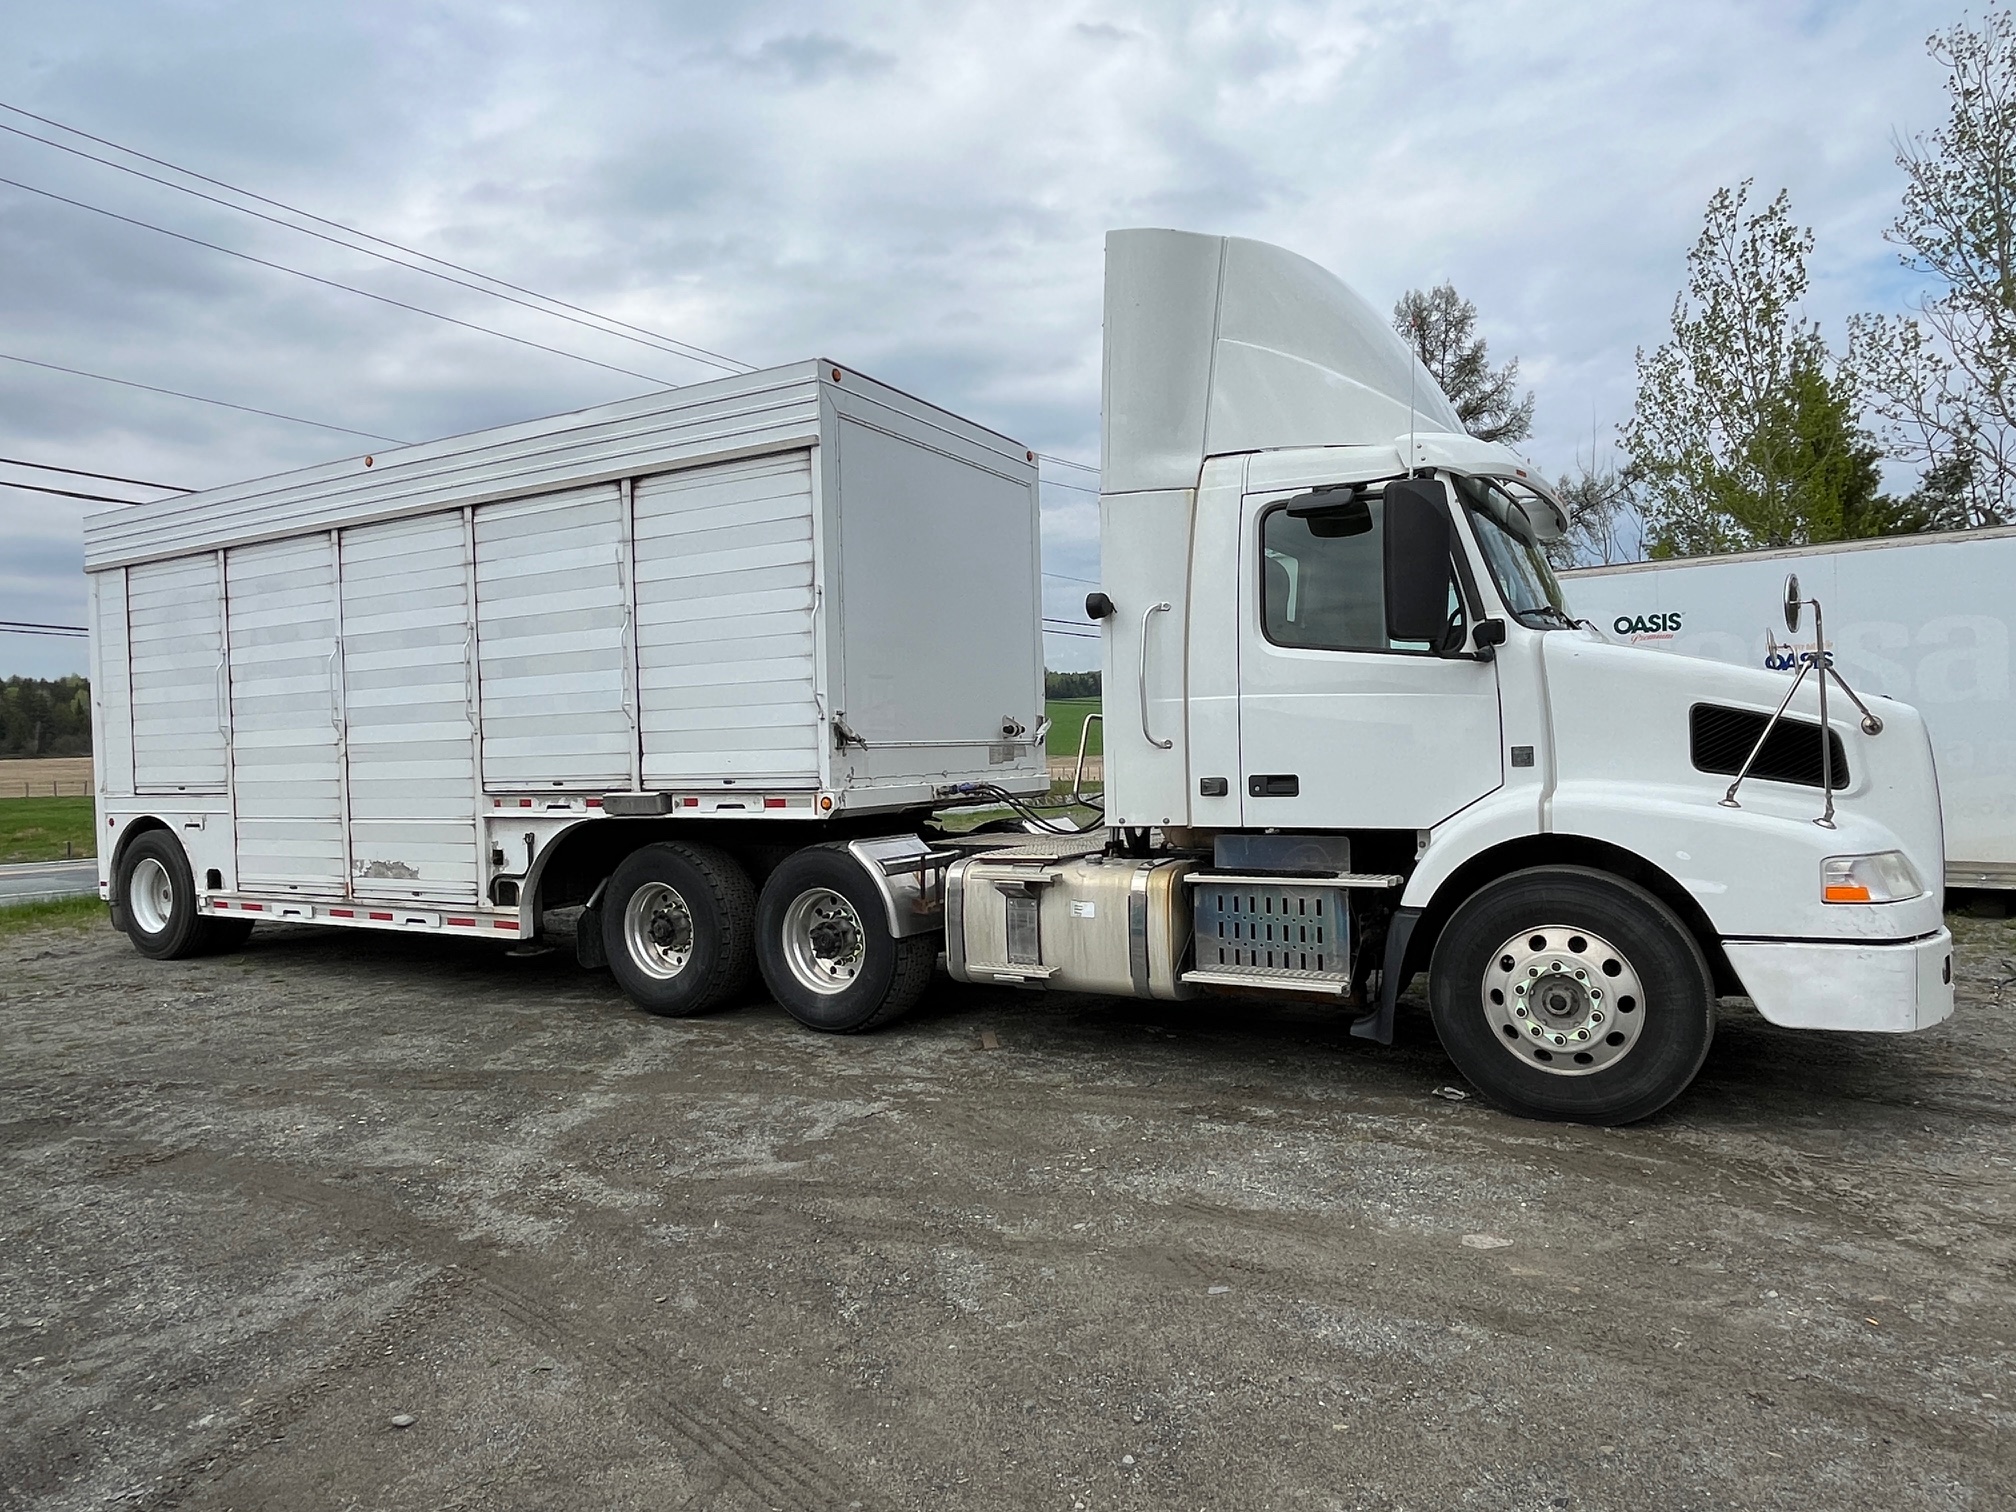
{"x": 676, "y": 928}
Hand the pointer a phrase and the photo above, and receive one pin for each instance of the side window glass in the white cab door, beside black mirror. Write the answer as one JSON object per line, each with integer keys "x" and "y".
{"x": 1321, "y": 588}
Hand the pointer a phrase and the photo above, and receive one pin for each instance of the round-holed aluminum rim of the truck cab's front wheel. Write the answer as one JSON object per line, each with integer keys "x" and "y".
{"x": 1563, "y": 1001}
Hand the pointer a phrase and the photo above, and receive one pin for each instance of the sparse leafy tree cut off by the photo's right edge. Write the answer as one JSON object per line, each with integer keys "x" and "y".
{"x": 1944, "y": 382}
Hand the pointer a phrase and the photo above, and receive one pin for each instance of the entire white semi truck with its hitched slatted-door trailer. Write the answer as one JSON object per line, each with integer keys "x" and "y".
{"x": 707, "y": 672}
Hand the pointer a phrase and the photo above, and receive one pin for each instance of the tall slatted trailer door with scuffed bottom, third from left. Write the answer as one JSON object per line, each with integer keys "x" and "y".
{"x": 408, "y": 715}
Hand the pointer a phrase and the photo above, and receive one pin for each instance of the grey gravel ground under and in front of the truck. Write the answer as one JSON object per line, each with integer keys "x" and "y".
{"x": 1013, "y": 1253}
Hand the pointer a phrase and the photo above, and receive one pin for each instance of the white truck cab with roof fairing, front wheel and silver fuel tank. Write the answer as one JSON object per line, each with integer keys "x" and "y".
{"x": 1356, "y": 735}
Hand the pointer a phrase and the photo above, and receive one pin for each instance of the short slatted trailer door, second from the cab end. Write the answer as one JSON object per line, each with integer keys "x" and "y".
{"x": 551, "y": 616}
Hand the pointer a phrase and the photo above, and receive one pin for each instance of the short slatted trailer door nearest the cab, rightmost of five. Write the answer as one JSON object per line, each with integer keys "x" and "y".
{"x": 725, "y": 624}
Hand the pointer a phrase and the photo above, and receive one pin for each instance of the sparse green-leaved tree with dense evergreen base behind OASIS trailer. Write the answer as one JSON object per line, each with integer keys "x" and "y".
{"x": 1747, "y": 430}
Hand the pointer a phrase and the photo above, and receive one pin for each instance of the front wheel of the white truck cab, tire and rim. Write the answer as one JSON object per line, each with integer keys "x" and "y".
{"x": 1565, "y": 993}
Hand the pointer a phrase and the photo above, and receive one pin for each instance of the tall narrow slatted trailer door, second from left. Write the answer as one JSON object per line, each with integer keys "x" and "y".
{"x": 287, "y": 715}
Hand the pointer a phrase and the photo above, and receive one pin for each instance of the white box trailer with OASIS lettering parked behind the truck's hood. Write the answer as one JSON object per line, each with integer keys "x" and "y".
{"x": 1924, "y": 620}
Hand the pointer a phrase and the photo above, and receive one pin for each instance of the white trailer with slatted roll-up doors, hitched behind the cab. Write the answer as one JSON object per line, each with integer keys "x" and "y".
{"x": 463, "y": 684}
